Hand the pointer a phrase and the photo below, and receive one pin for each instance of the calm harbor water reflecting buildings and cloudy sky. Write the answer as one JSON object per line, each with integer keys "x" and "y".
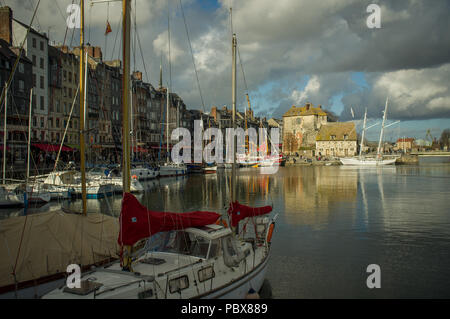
{"x": 333, "y": 222}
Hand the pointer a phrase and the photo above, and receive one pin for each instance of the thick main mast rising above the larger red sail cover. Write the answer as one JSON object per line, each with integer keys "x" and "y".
{"x": 126, "y": 9}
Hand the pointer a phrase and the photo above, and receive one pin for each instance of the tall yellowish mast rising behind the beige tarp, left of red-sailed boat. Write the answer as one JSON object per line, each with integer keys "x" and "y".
{"x": 82, "y": 108}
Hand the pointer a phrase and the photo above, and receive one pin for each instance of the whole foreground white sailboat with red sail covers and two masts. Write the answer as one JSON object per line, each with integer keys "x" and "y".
{"x": 199, "y": 256}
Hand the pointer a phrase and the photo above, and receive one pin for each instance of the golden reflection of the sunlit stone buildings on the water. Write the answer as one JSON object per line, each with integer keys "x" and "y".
{"x": 311, "y": 192}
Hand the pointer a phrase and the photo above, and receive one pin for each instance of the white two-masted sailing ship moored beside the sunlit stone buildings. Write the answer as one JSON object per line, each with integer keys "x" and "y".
{"x": 368, "y": 161}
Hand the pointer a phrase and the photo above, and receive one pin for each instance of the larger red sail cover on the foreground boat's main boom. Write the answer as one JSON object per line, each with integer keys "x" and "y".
{"x": 137, "y": 222}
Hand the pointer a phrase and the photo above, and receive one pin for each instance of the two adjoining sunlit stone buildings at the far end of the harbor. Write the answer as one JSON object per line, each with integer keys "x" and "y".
{"x": 307, "y": 131}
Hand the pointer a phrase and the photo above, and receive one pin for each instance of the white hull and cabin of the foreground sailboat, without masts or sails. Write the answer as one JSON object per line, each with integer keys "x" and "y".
{"x": 195, "y": 262}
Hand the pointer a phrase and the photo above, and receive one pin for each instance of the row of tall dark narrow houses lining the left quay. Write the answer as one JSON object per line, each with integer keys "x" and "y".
{"x": 52, "y": 72}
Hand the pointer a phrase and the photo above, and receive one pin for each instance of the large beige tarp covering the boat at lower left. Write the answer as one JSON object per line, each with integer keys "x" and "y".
{"x": 53, "y": 240}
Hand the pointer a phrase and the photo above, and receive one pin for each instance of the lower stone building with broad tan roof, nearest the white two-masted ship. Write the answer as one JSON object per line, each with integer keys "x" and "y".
{"x": 336, "y": 139}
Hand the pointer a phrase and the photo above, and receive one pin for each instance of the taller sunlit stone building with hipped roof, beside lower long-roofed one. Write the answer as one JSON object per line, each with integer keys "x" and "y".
{"x": 300, "y": 127}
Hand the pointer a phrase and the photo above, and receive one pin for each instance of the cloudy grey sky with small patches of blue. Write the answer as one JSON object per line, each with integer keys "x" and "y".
{"x": 292, "y": 51}
